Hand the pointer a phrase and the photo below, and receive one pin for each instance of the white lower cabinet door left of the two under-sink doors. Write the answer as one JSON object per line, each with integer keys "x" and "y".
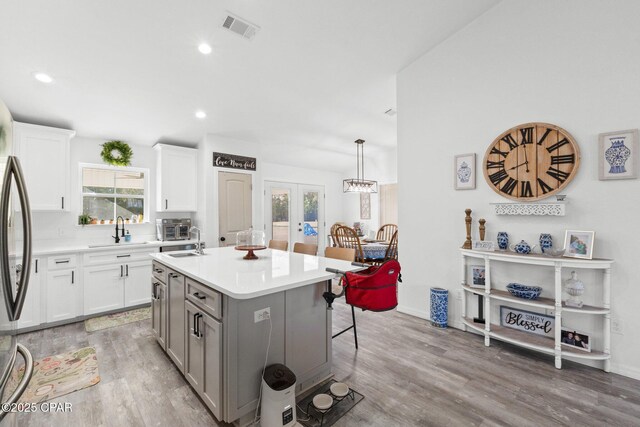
{"x": 63, "y": 295}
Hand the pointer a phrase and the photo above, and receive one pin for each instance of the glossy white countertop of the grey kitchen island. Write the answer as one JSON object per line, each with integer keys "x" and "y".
{"x": 224, "y": 270}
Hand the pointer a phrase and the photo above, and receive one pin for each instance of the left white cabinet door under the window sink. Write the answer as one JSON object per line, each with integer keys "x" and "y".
{"x": 103, "y": 288}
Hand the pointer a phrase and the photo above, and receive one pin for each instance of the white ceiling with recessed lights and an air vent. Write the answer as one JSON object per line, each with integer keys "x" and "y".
{"x": 317, "y": 76}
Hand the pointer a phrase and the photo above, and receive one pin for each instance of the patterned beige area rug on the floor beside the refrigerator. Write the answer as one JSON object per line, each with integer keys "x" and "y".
{"x": 58, "y": 375}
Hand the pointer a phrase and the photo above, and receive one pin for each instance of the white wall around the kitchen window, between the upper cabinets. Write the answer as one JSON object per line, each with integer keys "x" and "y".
{"x": 60, "y": 228}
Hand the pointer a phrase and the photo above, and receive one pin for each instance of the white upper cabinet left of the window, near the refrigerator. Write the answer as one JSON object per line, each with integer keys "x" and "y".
{"x": 44, "y": 157}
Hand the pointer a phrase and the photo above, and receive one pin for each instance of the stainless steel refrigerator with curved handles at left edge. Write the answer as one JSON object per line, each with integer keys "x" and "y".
{"x": 15, "y": 265}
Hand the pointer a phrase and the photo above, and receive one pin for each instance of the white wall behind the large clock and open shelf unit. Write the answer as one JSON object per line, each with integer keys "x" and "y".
{"x": 571, "y": 63}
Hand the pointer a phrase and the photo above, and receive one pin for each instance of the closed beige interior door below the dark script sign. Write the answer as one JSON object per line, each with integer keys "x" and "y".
{"x": 234, "y": 205}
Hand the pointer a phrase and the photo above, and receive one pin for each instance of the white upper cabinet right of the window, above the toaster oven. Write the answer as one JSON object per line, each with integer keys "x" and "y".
{"x": 177, "y": 178}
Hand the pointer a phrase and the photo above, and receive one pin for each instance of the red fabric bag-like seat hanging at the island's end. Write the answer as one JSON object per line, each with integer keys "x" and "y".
{"x": 375, "y": 288}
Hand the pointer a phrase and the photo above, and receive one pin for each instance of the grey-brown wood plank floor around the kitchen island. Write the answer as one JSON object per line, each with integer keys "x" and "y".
{"x": 410, "y": 373}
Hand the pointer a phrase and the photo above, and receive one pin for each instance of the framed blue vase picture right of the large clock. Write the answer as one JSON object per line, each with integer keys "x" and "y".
{"x": 618, "y": 155}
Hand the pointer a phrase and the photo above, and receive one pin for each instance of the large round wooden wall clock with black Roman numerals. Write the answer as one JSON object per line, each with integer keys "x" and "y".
{"x": 531, "y": 161}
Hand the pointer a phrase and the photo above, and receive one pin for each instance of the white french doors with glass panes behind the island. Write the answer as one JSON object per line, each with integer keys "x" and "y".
{"x": 295, "y": 213}
